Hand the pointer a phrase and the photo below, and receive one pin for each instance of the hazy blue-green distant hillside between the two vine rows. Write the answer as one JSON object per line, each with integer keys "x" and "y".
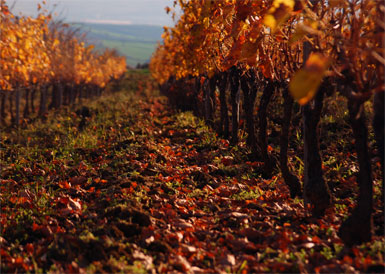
{"x": 136, "y": 42}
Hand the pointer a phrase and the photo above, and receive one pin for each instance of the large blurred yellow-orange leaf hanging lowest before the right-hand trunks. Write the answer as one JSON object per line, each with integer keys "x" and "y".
{"x": 305, "y": 82}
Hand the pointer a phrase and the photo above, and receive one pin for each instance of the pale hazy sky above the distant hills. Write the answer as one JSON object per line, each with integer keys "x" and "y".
{"x": 139, "y": 12}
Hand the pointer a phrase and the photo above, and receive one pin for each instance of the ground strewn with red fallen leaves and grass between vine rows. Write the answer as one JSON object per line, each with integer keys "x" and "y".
{"x": 140, "y": 188}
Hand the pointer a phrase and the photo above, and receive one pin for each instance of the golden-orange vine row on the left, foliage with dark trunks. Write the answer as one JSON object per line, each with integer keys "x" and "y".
{"x": 39, "y": 53}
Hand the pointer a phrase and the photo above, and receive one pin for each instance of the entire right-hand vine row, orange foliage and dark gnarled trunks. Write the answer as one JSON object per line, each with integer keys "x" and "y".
{"x": 299, "y": 50}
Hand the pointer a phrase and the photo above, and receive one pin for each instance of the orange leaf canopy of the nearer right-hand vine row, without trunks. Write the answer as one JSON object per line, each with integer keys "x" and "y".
{"x": 269, "y": 36}
